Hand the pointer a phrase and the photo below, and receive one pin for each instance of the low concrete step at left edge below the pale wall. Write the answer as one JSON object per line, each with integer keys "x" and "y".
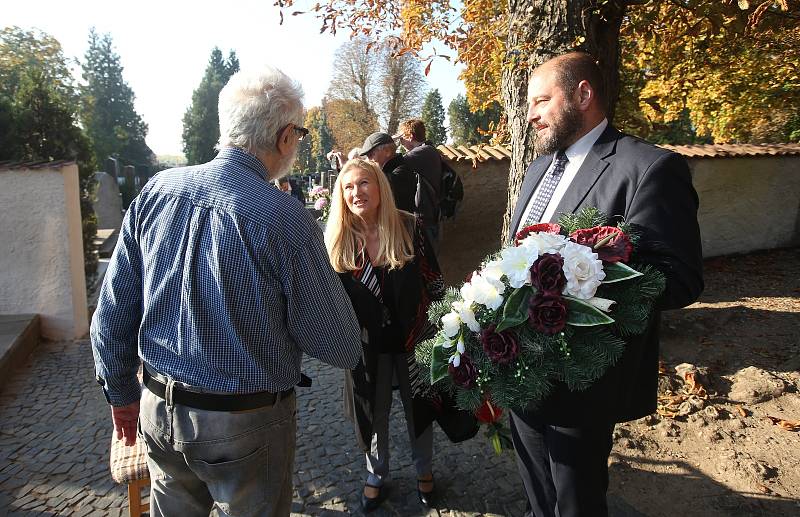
{"x": 19, "y": 335}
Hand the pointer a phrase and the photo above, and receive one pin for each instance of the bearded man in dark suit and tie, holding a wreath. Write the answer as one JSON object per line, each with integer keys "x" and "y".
{"x": 562, "y": 444}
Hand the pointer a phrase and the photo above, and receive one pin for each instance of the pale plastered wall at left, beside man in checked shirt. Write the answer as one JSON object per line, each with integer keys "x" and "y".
{"x": 41, "y": 257}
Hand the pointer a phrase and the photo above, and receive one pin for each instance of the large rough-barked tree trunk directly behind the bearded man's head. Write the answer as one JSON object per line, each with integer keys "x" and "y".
{"x": 537, "y": 31}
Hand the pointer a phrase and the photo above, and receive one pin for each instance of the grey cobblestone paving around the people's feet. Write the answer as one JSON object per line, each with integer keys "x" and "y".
{"x": 55, "y": 432}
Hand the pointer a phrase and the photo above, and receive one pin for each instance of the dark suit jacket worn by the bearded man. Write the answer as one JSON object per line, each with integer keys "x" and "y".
{"x": 628, "y": 178}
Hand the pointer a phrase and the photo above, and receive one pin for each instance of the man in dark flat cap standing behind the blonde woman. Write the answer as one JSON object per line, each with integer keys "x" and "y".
{"x": 381, "y": 148}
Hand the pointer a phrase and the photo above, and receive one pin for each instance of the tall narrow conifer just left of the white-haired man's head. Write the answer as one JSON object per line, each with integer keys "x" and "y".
{"x": 201, "y": 120}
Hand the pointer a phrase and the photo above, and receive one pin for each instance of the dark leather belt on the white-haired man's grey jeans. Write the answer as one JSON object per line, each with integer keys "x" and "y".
{"x": 213, "y": 401}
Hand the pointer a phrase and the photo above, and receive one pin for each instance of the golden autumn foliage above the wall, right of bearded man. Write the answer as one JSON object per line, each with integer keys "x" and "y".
{"x": 729, "y": 66}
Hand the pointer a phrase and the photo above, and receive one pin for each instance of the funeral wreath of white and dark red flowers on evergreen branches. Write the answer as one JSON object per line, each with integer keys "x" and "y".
{"x": 556, "y": 306}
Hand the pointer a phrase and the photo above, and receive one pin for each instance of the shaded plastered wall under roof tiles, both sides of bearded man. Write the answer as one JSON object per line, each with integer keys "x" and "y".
{"x": 746, "y": 204}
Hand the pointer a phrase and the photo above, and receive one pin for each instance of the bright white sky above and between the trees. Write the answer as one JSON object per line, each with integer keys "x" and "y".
{"x": 164, "y": 47}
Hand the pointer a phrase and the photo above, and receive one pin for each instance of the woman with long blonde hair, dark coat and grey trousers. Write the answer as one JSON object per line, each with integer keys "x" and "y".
{"x": 385, "y": 265}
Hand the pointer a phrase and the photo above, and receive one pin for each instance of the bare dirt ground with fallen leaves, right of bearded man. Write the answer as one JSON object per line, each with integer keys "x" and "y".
{"x": 726, "y": 440}
